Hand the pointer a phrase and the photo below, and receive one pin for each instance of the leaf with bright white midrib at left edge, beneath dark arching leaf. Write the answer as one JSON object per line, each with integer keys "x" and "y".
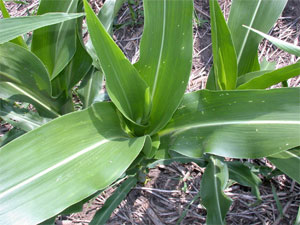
{"x": 46, "y": 106}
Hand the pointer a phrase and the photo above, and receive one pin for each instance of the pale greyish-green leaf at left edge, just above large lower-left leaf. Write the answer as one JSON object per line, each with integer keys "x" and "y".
{"x": 21, "y": 118}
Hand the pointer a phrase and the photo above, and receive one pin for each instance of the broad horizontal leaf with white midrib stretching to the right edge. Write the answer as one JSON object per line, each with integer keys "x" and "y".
{"x": 236, "y": 124}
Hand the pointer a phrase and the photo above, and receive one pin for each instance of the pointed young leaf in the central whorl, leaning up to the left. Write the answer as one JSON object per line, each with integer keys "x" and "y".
{"x": 125, "y": 87}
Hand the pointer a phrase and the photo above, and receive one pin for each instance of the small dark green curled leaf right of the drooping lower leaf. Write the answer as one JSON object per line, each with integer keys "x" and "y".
{"x": 242, "y": 174}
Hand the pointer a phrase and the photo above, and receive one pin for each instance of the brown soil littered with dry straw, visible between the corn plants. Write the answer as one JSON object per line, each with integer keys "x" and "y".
{"x": 169, "y": 195}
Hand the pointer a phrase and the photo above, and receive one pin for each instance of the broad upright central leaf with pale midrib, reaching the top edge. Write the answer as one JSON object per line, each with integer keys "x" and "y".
{"x": 166, "y": 56}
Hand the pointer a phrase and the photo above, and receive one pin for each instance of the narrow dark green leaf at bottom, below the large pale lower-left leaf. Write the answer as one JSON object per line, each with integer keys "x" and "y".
{"x": 113, "y": 201}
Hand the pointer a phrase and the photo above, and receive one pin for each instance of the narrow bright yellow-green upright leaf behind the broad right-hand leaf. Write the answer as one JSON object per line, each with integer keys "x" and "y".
{"x": 225, "y": 61}
